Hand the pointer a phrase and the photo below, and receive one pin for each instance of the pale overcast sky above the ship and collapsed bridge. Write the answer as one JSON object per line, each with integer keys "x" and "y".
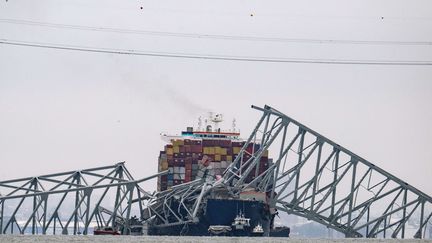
{"x": 67, "y": 110}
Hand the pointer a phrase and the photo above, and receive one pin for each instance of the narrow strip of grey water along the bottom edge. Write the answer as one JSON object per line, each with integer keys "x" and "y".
{"x": 183, "y": 239}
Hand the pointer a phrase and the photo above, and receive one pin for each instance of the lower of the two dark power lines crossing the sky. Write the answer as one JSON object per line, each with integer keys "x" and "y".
{"x": 211, "y": 57}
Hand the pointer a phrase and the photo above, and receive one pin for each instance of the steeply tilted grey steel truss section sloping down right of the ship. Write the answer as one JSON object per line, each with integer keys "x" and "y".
{"x": 320, "y": 180}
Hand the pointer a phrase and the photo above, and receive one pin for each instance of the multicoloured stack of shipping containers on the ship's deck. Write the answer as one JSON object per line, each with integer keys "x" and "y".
{"x": 183, "y": 158}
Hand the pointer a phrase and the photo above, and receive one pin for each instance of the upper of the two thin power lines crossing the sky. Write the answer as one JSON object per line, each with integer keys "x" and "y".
{"x": 210, "y": 36}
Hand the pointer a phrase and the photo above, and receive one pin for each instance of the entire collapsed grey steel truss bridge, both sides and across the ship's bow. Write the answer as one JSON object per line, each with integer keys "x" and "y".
{"x": 311, "y": 176}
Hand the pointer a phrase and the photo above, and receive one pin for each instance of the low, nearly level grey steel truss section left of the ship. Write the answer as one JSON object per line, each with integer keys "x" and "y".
{"x": 69, "y": 202}
